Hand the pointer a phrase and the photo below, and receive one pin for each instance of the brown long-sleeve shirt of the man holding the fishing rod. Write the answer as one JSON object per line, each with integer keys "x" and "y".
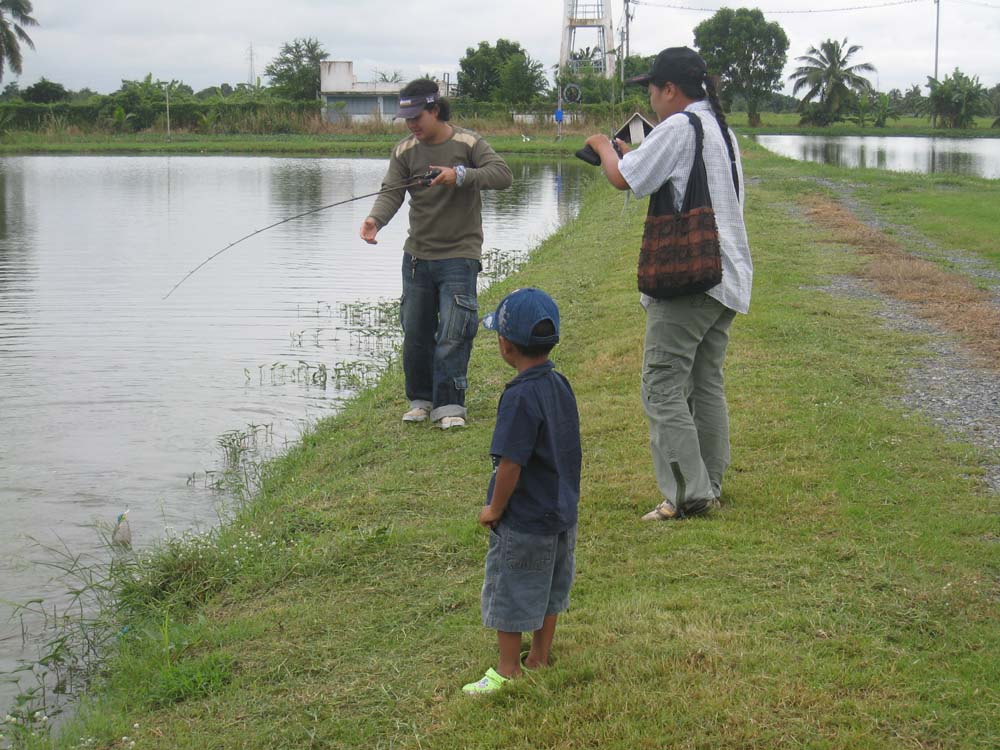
{"x": 445, "y": 221}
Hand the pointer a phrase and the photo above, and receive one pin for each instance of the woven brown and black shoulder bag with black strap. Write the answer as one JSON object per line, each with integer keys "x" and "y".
{"x": 680, "y": 252}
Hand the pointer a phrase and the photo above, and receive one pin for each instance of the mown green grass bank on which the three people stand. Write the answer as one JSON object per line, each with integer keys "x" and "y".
{"x": 845, "y": 596}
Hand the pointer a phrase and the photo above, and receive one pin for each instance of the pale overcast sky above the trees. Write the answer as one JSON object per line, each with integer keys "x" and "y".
{"x": 97, "y": 43}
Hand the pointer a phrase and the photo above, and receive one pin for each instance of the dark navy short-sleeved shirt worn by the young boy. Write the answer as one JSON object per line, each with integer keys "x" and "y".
{"x": 538, "y": 428}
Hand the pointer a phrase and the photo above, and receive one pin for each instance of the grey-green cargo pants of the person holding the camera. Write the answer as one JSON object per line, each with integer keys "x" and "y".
{"x": 684, "y": 397}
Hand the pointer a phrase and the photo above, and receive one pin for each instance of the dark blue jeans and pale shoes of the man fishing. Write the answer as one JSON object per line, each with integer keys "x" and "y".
{"x": 440, "y": 316}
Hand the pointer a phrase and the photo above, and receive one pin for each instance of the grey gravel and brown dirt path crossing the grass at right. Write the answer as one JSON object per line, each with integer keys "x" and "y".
{"x": 958, "y": 384}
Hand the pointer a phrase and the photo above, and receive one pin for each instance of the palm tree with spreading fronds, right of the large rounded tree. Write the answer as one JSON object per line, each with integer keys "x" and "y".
{"x": 828, "y": 78}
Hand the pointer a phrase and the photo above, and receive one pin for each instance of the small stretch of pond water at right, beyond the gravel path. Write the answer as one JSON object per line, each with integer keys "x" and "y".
{"x": 979, "y": 157}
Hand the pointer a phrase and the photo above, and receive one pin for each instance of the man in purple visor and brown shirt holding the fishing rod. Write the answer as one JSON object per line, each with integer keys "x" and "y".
{"x": 441, "y": 258}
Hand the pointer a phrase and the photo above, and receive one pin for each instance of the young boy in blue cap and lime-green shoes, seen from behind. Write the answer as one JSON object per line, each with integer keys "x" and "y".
{"x": 532, "y": 498}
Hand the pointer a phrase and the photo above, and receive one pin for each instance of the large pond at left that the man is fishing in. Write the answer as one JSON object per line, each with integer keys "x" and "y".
{"x": 113, "y": 398}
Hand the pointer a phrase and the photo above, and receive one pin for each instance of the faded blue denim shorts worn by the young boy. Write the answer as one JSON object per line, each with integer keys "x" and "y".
{"x": 528, "y": 576}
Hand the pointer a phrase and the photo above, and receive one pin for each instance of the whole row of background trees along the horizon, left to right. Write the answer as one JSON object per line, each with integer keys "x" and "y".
{"x": 746, "y": 51}
